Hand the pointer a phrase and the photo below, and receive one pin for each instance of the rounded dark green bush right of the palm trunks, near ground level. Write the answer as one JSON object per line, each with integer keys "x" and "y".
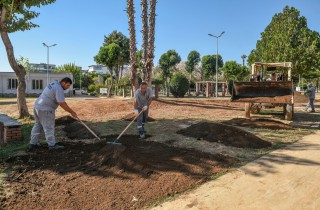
{"x": 179, "y": 85}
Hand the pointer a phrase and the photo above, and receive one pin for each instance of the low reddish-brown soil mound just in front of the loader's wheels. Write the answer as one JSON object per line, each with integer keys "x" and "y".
{"x": 259, "y": 123}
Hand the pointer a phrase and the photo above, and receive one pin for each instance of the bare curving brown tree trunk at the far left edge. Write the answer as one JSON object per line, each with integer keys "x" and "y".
{"x": 18, "y": 69}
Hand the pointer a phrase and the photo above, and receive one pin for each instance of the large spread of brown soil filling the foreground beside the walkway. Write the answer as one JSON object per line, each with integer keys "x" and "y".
{"x": 103, "y": 176}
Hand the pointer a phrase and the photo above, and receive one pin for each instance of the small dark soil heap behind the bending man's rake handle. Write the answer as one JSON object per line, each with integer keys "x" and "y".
{"x": 76, "y": 130}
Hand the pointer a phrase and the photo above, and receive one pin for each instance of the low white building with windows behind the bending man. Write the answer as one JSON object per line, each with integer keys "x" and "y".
{"x": 35, "y": 83}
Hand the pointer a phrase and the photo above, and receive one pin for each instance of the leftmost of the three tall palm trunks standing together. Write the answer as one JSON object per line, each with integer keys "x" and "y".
{"x": 133, "y": 48}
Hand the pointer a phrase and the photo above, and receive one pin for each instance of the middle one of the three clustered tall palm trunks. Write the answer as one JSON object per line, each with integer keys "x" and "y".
{"x": 144, "y": 16}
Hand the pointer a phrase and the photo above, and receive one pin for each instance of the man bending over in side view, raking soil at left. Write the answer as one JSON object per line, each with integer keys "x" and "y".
{"x": 44, "y": 112}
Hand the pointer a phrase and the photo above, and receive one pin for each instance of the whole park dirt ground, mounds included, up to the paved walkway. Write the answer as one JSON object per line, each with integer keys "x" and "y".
{"x": 189, "y": 141}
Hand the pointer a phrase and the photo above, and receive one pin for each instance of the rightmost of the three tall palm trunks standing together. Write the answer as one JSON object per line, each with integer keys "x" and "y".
{"x": 152, "y": 22}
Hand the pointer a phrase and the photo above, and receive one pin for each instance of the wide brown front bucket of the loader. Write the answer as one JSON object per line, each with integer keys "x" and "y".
{"x": 263, "y": 92}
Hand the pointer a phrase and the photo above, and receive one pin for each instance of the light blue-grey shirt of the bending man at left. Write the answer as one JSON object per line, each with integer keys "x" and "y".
{"x": 50, "y": 98}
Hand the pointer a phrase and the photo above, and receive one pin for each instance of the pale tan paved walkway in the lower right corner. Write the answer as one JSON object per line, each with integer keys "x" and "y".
{"x": 288, "y": 179}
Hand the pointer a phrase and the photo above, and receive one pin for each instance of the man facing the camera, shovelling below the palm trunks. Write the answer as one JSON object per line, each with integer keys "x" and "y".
{"x": 142, "y": 101}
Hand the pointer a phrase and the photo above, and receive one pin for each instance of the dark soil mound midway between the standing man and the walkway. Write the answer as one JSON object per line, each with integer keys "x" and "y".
{"x": 224, "y": 134}
